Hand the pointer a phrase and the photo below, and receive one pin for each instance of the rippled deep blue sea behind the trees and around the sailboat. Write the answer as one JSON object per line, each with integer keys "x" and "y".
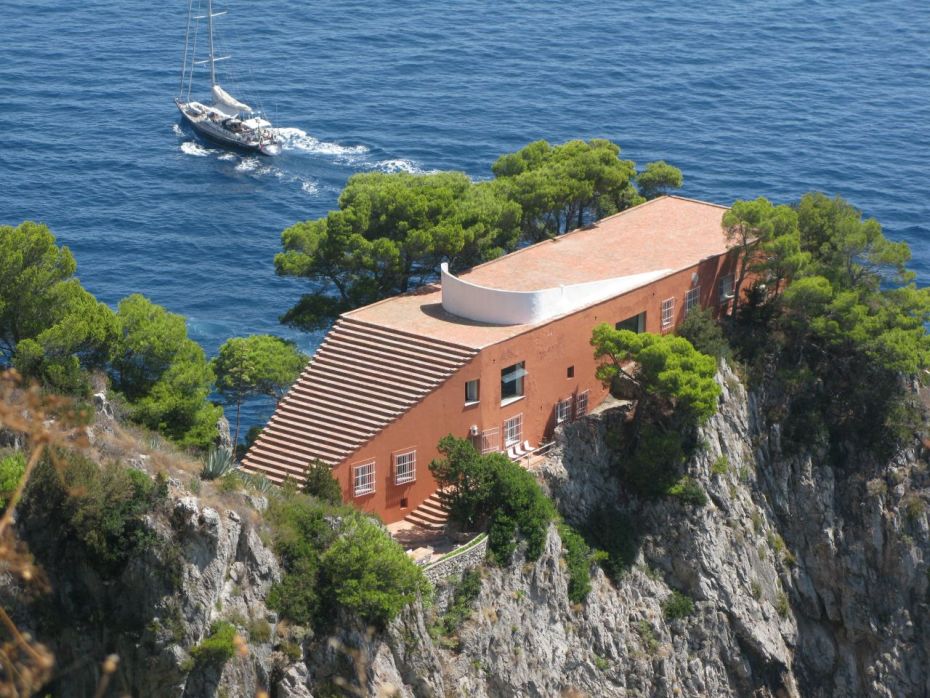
{"x": 748, "y": 97}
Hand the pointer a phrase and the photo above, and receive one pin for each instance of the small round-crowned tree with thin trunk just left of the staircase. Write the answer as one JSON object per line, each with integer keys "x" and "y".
{"x": 257, "y": 365}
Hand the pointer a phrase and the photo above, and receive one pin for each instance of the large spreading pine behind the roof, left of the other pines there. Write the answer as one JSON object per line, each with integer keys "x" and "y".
{"x": 390, "y": 234}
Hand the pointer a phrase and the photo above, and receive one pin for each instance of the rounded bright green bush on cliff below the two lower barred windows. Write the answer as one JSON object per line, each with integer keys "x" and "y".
{"x": 366, "y": 572}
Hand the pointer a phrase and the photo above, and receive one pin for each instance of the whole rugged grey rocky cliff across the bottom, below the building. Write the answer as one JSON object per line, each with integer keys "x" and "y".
{"x": 807, "y": 579}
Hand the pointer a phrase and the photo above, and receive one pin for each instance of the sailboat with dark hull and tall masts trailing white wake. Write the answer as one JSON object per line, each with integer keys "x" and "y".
{"x": 225, "y": 120}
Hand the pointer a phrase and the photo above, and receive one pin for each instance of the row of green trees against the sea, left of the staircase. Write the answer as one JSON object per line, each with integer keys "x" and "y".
{"x": 54, "y": 331}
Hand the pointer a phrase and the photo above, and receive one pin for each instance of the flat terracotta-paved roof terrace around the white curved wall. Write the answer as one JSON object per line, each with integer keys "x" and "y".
{"x": 668, "y": 233}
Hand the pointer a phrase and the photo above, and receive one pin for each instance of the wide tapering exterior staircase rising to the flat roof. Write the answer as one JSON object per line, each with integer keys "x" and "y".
{"x": 361, "y": 379}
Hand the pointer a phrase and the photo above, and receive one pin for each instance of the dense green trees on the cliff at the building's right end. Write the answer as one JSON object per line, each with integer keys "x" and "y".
{"x": 845, "y": 331}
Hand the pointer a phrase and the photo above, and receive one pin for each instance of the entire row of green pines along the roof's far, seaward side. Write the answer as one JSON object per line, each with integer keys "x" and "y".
{"x": 391, "y": 232}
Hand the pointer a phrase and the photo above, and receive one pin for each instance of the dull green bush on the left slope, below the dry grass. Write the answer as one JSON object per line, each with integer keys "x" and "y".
{"x": 102, "y": 508}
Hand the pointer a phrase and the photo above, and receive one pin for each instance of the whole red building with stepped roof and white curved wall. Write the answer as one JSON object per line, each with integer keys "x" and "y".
{"x": 500, "y": 354}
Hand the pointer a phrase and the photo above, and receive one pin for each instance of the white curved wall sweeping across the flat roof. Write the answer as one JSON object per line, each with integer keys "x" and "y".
{"x": 501, "y": 307}
